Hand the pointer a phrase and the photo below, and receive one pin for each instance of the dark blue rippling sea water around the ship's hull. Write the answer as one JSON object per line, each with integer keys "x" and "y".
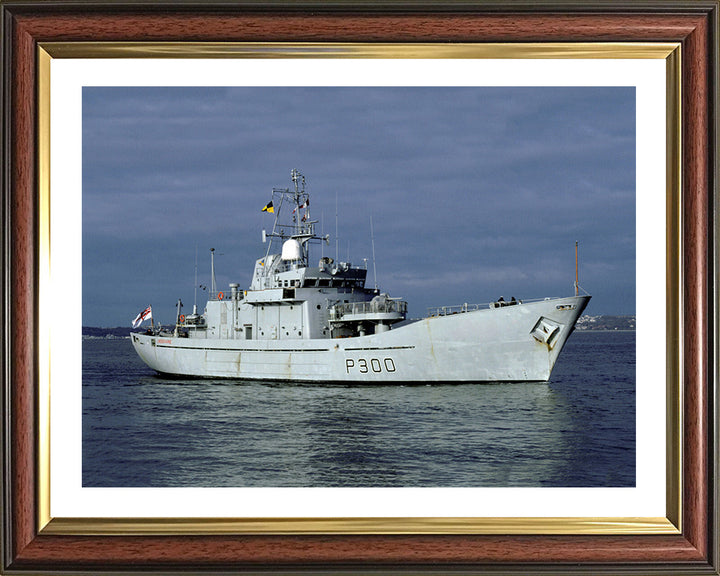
{"x": 577, "y": 430}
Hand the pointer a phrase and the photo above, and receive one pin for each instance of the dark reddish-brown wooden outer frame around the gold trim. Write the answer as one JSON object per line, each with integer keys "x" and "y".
{"x": 692, "y": 23}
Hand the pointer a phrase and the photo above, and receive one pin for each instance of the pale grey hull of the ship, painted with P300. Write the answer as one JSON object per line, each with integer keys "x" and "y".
{"x": 503, "y": 344}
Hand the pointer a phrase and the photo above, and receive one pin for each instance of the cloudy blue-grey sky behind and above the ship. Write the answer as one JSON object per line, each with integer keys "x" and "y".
{"x": 474, "y": 192}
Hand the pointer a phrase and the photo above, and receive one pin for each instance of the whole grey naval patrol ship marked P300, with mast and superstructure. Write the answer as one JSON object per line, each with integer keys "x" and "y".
{"x": 299, "y": 322}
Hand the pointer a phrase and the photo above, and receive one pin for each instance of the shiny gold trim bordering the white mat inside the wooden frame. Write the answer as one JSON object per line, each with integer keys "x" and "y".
{"x": 435, "y": 525}
